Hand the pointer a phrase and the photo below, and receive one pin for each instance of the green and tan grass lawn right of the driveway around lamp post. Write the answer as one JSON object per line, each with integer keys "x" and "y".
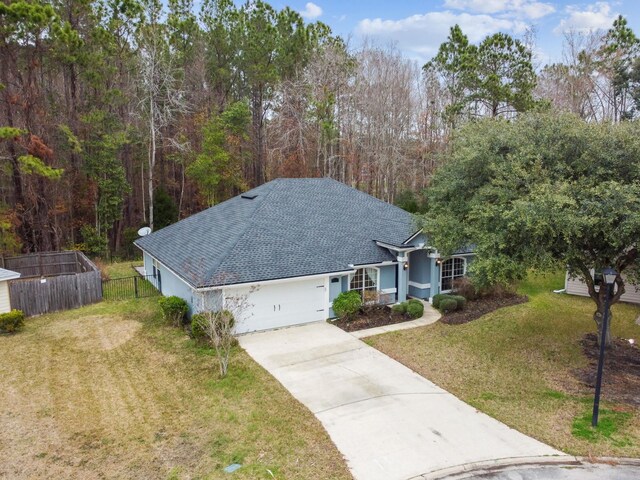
{"x": 516, "y": 365}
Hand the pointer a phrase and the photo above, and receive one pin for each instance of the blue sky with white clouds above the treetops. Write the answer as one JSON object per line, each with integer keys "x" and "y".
{"x": 418, "y": 27}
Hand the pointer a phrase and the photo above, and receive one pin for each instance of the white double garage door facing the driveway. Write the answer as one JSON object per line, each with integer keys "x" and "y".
{"x": 281, "y": 304}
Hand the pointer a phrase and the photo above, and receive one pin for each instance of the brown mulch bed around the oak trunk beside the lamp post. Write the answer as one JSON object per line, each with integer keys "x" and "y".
{"x": 621, "y": 377}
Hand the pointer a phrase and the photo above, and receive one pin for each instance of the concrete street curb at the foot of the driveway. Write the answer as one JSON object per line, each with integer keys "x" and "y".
{"x": 470, "y": 470}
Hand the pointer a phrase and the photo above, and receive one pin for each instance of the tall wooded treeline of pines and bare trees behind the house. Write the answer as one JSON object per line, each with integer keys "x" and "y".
{"x": 116, "y": 114}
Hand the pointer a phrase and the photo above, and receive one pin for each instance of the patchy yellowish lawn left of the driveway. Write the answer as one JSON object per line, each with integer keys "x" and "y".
{"x": 109, "y": 391}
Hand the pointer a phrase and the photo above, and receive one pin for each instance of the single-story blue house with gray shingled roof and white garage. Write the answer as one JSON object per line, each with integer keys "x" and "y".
{"x": 293, "y": 245}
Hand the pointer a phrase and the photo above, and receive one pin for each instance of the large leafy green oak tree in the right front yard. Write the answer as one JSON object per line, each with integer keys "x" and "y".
{"x": 538, "y": 193}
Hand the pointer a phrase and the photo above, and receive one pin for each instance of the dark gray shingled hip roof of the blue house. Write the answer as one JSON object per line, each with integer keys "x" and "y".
{"x": 293, "y": 227}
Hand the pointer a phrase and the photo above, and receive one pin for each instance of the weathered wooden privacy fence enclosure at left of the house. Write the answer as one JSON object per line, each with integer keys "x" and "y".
{"x": 47, "y": 286}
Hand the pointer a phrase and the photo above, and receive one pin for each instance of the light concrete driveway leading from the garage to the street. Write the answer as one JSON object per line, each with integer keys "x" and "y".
{"x": 389, "y": 422}
